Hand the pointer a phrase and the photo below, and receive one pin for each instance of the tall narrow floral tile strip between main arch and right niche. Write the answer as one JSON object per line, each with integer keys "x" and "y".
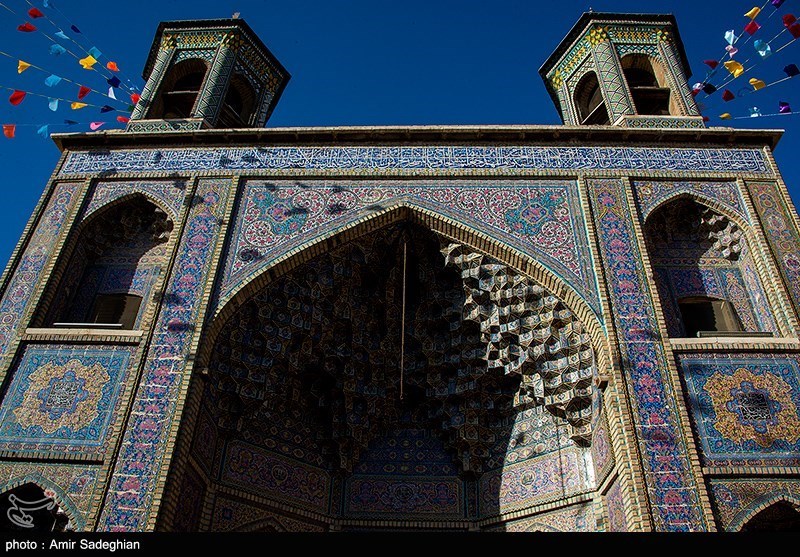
{"x": 669, "y": 479}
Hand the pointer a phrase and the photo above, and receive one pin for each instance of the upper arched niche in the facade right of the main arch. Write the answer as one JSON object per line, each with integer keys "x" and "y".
{"x": 705, "y": 271}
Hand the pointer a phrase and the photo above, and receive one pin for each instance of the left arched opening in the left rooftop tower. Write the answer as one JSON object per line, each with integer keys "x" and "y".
{"x": 177, "y": 96}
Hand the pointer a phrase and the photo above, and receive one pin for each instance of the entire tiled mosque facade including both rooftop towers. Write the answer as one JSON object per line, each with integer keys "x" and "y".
{"x": 213, "y": 325}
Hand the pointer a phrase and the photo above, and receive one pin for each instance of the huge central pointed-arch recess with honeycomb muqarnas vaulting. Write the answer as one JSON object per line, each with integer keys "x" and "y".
{"x": 398, "y": 375}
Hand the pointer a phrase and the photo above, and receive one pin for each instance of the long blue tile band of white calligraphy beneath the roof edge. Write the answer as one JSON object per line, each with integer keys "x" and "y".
{"x": 377, "y": 158}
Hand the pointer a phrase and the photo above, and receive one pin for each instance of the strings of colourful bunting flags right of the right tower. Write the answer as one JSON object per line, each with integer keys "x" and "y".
{"x": 762, "y": 48}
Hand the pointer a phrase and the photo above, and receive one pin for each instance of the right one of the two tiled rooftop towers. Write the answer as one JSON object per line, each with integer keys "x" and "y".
{"x": 625, "y": 70}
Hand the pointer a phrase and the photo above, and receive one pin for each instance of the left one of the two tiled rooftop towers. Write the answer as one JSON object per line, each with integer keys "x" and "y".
{"x": 207, "y": 74}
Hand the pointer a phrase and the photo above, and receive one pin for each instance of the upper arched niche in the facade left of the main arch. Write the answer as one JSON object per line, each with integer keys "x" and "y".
{"x": 112, "y": 265}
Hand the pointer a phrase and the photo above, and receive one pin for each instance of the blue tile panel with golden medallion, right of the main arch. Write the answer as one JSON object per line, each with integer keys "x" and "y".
{"x": 745, "y": 408}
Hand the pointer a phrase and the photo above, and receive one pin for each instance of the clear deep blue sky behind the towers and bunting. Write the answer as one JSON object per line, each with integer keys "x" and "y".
{"x": 359, "y": 62}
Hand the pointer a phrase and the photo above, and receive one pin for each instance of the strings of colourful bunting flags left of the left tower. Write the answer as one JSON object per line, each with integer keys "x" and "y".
{"x": 70, "y": 41}
